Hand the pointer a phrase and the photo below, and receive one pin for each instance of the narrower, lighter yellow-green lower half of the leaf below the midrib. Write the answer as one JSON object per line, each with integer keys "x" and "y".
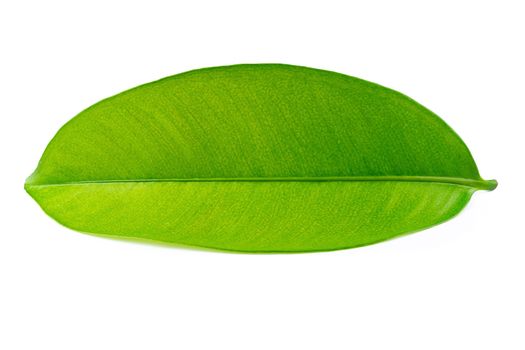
{"x": 253, "y": 216}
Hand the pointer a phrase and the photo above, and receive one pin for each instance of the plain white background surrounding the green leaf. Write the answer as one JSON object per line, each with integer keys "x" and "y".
{"x": 456, "y": 286}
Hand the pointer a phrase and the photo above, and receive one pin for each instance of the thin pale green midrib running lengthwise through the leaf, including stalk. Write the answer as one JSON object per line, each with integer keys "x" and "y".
{"x": 476, "y": 184}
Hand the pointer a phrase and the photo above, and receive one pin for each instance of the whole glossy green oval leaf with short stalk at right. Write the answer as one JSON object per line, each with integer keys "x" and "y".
{"x": 260, "y": 158}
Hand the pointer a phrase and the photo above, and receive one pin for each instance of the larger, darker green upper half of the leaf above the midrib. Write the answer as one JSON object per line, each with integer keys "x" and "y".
{"x": 254, "y": 121}
